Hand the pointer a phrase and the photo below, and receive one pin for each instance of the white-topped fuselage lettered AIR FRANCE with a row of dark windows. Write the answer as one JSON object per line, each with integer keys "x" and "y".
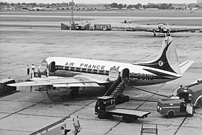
{"x": 99, "y": 70}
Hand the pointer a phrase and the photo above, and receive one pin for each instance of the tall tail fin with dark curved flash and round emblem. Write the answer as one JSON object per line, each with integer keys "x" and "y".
{"x": 167, "y": 59}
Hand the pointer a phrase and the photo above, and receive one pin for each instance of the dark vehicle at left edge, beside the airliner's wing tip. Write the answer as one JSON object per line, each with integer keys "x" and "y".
{"x": 4, "y": 88}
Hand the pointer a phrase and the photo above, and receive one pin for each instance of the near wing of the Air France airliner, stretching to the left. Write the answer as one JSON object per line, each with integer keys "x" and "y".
{"x": 76, "y": 81}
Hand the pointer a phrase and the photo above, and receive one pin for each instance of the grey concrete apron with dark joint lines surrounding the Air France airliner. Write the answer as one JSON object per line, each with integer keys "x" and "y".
{"x": 24, "y": 112}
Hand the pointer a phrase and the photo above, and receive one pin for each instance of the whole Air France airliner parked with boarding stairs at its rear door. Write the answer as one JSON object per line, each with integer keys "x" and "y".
{"x": 78, "y": 73}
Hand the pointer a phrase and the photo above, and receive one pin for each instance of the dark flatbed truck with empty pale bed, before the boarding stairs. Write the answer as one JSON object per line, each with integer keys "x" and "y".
{"x": 105, "y": 108}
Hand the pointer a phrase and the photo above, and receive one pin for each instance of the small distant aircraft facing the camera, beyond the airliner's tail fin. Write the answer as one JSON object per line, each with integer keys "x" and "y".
{"x": 163, "y": 28}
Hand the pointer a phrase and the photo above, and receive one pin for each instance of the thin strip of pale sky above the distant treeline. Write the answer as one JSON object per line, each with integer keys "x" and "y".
{"x": 102, "y": 1}
